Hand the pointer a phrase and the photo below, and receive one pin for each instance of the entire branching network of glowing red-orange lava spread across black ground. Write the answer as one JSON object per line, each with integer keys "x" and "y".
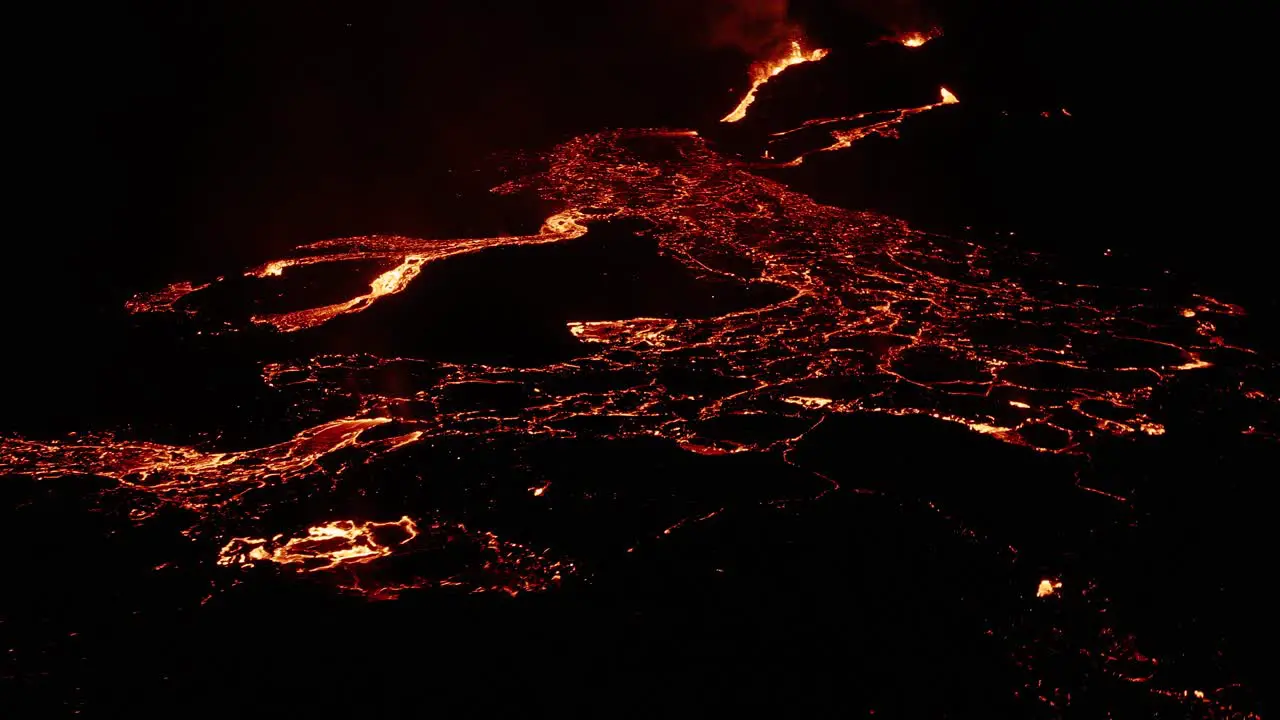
{"x": 399, "y": 476}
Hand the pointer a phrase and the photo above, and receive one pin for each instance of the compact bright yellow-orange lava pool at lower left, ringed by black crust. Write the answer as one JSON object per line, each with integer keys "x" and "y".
{"x": 324, "y": 548}
